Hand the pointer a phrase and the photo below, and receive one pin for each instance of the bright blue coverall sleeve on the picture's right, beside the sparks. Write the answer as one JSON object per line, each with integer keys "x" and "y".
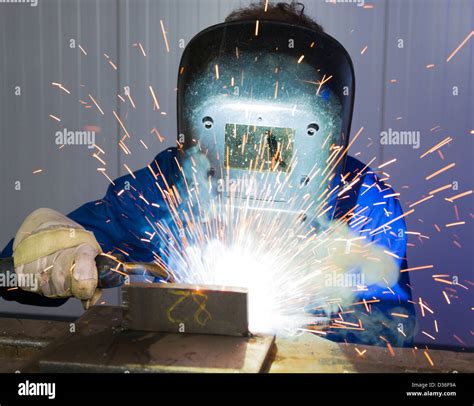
{"x": 379, "y": 217}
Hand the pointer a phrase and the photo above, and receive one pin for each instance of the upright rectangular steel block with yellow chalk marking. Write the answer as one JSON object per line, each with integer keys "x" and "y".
{"x": 180, "y": 308}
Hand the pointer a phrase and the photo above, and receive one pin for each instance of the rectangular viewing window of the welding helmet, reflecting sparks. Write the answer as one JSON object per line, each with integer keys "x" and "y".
{"x": 258, "y": 148}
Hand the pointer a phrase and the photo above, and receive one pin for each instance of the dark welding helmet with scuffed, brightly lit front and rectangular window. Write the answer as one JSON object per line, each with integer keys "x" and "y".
{"x": 270, "y": 105}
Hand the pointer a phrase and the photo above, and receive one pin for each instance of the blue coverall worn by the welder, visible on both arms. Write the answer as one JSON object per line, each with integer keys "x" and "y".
{"x": 119, "y": 220}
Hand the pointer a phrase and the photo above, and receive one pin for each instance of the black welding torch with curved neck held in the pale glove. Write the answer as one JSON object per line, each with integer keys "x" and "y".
{"x": 111, "y": 270}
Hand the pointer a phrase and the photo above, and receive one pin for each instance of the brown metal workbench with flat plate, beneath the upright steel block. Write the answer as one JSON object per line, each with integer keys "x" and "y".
{"x": 30, "y": 345}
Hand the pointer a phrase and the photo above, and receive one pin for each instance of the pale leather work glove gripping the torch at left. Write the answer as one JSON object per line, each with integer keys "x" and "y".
{"x": 55, "y": 257}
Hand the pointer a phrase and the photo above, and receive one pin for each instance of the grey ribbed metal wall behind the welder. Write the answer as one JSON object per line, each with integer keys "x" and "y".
{"x": 395, "y": 90}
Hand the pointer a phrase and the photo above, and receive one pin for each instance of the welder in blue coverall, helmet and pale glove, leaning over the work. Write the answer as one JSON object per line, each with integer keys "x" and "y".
{"x": 269, "y": 75}
